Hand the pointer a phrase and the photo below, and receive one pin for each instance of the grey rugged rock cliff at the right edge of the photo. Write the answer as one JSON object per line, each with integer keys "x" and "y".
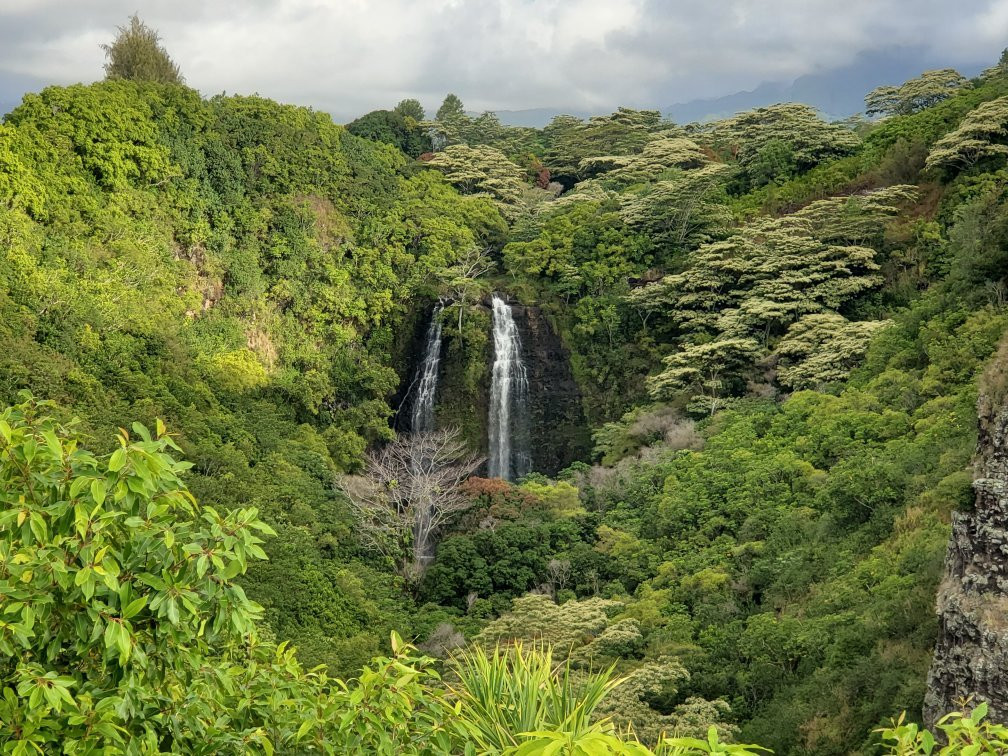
{"x": 971, "y": 658}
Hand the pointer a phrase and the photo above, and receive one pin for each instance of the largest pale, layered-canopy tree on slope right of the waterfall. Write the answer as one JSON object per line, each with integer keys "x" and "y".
{"x": 773, "y": 272}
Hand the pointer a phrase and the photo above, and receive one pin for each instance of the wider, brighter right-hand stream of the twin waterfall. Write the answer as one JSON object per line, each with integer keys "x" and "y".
{"x": 509, "y": 427}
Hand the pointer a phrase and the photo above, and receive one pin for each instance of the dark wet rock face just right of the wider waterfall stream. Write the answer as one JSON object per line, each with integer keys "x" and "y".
{"x": 558, "y": 429}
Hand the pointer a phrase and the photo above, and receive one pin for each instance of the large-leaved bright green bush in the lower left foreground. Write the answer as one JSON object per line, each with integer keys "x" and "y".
{"x": 123, "y": 626}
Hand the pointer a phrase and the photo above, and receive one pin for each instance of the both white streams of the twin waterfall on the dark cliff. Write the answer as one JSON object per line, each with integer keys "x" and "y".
{"x": 509, "y": 429}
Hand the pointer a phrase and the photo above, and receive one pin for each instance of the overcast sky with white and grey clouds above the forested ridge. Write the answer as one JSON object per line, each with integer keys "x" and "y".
{"x": 348, "y": 57}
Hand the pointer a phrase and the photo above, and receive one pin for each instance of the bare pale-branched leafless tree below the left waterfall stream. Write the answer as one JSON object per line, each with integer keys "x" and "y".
{"x": 409, "y": 490}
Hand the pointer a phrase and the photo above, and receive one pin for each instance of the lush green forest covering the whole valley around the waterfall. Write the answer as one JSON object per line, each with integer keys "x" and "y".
{"x": 208, "y": 310}
